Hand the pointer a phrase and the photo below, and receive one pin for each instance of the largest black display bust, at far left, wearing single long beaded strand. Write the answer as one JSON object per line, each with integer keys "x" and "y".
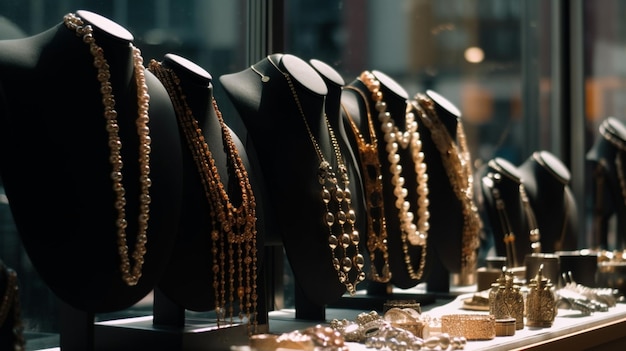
{"x": 55, "y": 163}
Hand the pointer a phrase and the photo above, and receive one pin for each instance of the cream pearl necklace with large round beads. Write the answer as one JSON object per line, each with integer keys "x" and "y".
{"x": 411, "y": 234}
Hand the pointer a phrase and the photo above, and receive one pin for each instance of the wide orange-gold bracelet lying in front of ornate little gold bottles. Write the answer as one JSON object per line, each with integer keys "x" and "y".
{"x": 470, "y": 326}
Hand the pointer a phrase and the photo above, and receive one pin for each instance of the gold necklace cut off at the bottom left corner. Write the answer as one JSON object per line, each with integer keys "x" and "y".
{"x": 11, "y": 303}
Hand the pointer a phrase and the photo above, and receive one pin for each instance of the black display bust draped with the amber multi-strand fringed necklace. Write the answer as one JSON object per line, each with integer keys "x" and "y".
{"x": 188, "y": 280}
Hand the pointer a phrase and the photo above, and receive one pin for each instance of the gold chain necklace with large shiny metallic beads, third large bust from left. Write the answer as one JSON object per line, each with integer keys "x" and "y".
{"x": 344, "y": 218}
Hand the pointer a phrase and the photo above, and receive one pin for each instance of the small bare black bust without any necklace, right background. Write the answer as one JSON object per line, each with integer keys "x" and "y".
{"x": 546, "y": 180}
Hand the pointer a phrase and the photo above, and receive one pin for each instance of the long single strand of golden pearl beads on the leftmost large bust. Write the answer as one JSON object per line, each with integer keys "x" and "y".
{"x": 129, "y": 275}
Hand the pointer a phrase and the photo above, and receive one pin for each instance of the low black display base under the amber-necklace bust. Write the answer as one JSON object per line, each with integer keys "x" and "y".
{"x": 141, "y": 334}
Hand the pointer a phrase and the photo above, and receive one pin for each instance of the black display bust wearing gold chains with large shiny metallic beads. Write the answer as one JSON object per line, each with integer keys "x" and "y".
{"x": 289, "y": 162}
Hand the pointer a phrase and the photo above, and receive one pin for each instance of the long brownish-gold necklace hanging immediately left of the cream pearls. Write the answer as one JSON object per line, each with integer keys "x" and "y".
{"x": 376, "y": 223}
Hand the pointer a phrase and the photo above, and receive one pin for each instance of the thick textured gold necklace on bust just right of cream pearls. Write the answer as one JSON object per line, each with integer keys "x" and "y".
{"x": 457, "y": 163}
